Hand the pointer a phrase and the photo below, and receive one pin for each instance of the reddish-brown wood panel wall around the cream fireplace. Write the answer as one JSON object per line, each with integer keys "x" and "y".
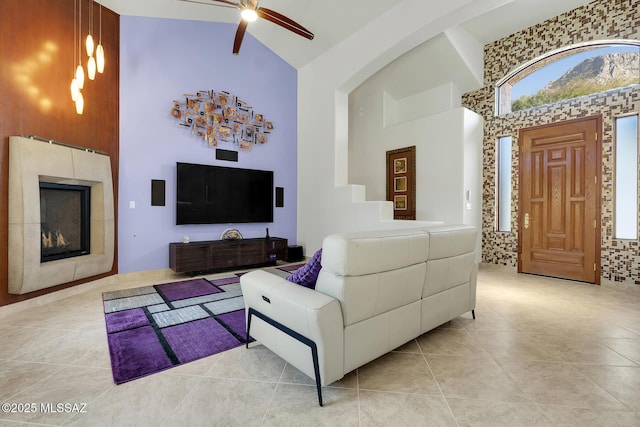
{"x": 36, "y": 67}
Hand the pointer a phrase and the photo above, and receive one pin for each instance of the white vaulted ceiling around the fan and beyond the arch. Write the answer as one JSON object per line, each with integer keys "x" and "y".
{"x": 334, "y": 20}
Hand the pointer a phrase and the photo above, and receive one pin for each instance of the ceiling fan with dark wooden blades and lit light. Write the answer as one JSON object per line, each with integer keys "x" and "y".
{"x": 250, "y": 11}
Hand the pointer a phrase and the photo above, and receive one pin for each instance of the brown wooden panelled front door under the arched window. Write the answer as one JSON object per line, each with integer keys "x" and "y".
{"x": 559, "y": 209}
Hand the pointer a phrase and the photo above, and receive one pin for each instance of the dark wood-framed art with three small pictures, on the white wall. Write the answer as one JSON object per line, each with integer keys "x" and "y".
{"x": 401, "y": 182}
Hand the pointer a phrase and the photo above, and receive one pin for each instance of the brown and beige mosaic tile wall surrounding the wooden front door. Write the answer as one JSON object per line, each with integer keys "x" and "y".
{"x": 599, "y": 20}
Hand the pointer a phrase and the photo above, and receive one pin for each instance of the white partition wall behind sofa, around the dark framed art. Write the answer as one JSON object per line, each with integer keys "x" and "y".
{"x": 448, "y": 161}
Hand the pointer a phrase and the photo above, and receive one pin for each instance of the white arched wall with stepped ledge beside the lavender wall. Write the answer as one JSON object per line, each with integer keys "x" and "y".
{"x": 323, "y": 126}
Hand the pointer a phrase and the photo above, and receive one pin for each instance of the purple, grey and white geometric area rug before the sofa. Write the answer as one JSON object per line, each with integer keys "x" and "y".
{"x": 153, "y": 328}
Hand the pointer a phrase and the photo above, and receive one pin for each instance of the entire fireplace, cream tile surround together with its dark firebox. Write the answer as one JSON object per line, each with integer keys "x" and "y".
{"x": 33, "y": 161}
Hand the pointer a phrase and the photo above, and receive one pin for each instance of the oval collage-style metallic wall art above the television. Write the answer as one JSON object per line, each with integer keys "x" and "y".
{"x": 219, "y": 116}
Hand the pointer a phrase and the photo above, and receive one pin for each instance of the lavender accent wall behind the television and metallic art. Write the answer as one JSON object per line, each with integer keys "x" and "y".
{"x": 160, "y": 60}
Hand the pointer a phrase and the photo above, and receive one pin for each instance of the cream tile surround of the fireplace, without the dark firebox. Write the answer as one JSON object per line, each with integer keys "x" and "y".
{"x": 31, "y": 162}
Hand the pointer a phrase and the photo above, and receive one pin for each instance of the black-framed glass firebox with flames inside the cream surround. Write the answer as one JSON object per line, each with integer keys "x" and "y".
{"x": 64, "y": 221}
